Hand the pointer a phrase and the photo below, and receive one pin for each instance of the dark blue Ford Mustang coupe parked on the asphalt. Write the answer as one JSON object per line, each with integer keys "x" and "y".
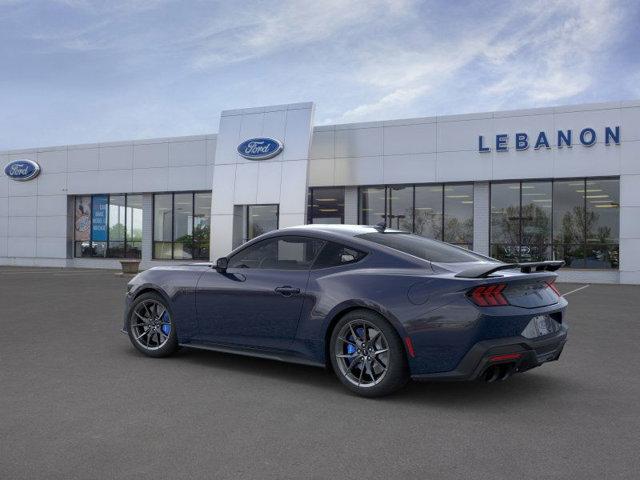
{"x": 377, "y": 306}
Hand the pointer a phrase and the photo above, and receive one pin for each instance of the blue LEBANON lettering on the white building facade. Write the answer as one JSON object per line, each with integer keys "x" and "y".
{"x": 564, "y": 138}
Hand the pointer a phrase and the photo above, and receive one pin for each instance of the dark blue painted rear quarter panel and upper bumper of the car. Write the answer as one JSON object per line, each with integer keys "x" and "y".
{"x": 433, "y": 310}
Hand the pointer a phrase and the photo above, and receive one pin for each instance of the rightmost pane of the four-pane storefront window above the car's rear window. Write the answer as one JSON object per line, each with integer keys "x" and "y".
{"x": 458, "y": 215}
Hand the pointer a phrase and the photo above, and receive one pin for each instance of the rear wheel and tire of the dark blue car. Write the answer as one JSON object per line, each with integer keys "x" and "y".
{"x": 358, "y": 354}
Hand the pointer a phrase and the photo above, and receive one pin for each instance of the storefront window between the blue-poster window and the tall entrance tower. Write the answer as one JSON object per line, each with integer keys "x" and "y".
{"x": 181, "y": 225}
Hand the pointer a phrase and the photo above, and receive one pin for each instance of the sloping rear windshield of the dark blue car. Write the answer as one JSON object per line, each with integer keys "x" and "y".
{"x": 421, "y": 247}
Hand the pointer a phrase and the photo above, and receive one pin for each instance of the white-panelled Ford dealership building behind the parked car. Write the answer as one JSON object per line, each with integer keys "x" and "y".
{"x": 525, "y": 185}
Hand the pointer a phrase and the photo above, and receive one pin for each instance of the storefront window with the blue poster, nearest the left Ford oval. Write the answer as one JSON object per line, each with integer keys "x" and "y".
{"x": 108, "y": 226}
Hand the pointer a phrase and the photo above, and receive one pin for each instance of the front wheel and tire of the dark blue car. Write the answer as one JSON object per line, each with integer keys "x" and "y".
{"x": 151, "y": 327}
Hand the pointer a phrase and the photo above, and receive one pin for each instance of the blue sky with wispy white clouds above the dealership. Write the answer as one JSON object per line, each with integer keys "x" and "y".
{"x": 80, "y": 71}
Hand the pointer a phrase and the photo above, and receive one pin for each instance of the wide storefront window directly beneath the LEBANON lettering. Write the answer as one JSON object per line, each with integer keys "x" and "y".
{"x": 573, "y": 220}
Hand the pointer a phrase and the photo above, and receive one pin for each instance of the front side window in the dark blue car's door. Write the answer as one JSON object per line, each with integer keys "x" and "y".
{"x": 281, "y": 253}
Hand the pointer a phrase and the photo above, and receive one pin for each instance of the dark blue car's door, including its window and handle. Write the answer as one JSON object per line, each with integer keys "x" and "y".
{"x": 258, "y": 300}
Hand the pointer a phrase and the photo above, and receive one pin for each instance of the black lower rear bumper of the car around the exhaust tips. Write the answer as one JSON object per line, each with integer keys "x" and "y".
{"x": 532, "y": 353}
